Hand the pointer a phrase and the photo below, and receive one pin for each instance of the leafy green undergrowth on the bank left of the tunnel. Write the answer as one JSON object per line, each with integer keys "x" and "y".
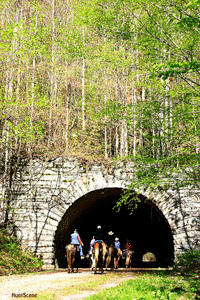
{"x": 13, "y": 260}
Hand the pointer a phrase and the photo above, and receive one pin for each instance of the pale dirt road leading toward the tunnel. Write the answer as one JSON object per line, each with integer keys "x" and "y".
{"x": 59, "y": 285}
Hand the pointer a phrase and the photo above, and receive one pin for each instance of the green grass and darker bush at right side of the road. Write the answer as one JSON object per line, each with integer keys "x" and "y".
{"x": 165, "y": 285}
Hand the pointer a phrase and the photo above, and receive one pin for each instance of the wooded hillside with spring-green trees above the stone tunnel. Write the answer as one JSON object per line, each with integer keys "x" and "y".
{"x": 101, "y": 80}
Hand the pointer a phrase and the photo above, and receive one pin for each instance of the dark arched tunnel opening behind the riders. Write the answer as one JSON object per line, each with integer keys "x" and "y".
{"x": 146, "y": 228}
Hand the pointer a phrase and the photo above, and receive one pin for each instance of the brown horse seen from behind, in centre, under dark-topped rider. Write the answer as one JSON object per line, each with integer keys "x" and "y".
{"x": 99, "y": 252}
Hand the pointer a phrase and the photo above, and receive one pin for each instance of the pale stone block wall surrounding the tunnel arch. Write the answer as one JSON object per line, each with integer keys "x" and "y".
{"x": 47, "y": 189}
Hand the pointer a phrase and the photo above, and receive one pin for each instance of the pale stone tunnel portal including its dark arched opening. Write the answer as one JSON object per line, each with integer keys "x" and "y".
{"x": 71, "y": 195}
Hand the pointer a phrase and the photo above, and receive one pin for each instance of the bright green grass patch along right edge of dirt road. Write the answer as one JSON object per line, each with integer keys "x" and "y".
{"x": 148, "y": 287}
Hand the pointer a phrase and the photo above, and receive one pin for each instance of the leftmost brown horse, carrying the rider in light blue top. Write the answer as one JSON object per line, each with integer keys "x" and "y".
{"x": 73, "y": 257}
